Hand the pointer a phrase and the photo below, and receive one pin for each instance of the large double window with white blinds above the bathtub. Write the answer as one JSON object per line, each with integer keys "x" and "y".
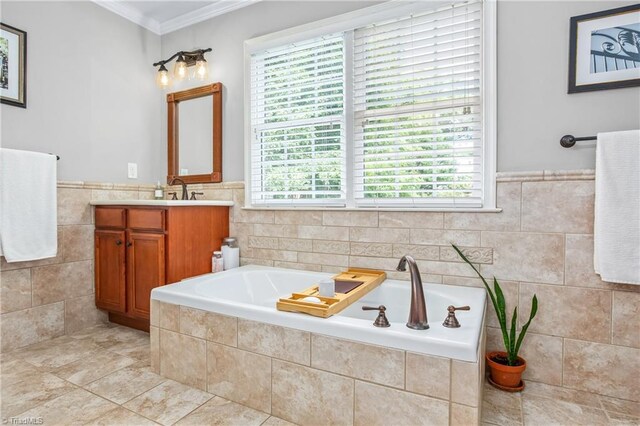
{"x": 390, "y": 111}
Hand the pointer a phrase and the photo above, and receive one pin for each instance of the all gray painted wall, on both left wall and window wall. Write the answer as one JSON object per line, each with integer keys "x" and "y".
{"x": 93, "y": 101}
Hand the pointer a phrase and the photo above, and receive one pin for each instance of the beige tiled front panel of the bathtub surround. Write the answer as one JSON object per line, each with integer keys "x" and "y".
{"x": 307, "y": 378}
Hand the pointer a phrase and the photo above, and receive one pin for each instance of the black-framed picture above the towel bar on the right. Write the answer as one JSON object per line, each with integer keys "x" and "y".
{"x": 604, "y": 50}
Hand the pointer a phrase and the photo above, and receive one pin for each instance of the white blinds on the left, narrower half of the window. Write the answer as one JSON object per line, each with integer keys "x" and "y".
{"x": 297, "y": 123}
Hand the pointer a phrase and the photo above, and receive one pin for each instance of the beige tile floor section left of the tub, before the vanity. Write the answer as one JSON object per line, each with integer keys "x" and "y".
{"x": 102, "y": 376}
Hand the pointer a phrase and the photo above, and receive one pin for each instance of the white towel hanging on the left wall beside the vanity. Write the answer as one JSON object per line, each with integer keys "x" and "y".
{"x": 28, "y": 216}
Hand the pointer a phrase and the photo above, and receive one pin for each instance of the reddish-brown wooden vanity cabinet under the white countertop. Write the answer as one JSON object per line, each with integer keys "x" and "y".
{"x": 140, "y": 248}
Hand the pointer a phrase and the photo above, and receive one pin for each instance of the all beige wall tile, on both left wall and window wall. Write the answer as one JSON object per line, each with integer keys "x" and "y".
{"x": 542, "y": 242}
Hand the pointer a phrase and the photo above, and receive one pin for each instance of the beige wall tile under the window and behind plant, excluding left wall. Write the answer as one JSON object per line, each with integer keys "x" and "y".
{"x": 540, "y": 243}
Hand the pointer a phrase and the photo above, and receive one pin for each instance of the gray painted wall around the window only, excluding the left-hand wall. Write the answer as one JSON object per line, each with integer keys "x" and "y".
{"x": 534, "y": 109}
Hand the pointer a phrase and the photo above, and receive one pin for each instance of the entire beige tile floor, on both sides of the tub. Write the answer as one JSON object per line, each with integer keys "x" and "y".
{"x": 102, "y": 376}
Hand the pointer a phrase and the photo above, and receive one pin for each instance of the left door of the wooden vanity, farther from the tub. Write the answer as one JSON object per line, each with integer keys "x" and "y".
{"x": 110, "y": 270}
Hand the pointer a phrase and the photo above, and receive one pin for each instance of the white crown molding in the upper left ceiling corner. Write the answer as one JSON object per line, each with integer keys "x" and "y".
{"x": 220, "y": 7}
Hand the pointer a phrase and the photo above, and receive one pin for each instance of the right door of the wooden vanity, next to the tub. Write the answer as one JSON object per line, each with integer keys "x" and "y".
{"x": 145, "y": 271}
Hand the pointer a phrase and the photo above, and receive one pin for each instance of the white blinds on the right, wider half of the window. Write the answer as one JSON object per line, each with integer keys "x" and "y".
{"x": 417, "y": 110}
